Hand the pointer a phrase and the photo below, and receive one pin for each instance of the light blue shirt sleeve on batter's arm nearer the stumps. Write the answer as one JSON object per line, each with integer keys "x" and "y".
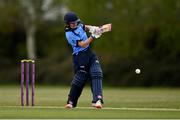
{"x": 72, "y": 39}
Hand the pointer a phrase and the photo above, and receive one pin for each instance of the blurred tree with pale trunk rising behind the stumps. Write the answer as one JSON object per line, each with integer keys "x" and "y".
{"x": 35, "y": 11}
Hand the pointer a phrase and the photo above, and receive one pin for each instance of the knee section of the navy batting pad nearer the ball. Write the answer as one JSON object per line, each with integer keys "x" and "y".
{"x": 96, "y": 71}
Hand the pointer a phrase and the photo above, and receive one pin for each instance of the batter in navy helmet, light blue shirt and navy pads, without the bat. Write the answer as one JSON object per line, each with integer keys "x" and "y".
{"x": 86, "y": 63}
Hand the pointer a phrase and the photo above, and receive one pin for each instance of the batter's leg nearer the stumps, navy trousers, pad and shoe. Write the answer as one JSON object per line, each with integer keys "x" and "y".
{"x": 79, "y": 79}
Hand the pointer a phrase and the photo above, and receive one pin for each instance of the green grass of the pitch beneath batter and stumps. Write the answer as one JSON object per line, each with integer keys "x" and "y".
{"x": 50, "y": 100}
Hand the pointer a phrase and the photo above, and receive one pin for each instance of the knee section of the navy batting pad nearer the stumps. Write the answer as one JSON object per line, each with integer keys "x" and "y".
{"x": 80, "y": 78}
